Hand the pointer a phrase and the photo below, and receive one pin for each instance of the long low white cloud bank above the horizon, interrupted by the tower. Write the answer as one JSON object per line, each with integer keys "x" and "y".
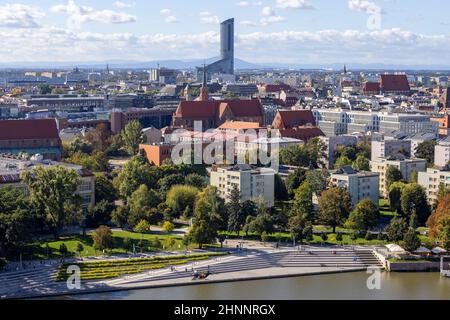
{"x": 388, "y": 46}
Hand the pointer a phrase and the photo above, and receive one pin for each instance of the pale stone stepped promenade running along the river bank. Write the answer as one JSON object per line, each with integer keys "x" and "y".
{"x": 248, "y": 264}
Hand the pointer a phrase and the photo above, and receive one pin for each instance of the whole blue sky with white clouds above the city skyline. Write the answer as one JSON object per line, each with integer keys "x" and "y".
{"x": 401, "y": 32}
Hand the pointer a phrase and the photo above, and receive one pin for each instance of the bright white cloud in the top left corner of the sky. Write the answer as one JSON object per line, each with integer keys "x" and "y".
{"x": 19, "y": 16}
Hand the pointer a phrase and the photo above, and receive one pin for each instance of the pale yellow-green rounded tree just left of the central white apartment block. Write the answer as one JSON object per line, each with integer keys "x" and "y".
{"x": 181, "y": 197}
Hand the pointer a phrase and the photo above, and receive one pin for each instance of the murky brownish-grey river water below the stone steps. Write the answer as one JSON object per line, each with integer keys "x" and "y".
{"x": 346, "y": 286}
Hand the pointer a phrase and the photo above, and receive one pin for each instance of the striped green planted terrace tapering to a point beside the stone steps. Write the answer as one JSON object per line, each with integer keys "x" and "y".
{"x": 114, "y": 269}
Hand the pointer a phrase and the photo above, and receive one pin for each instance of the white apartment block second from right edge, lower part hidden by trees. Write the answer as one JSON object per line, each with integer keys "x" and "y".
{"x": 406, "y": 167}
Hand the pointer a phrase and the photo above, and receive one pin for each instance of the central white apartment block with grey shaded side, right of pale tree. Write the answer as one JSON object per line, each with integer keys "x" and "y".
{"x": 253, "y": 183}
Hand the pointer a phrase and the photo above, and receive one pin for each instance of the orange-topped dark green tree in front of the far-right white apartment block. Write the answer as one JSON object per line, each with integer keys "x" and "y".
{"x": 414, "y": 198}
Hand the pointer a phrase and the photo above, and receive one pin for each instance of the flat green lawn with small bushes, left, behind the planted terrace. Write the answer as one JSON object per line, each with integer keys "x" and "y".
{"x": 38, "y": 250}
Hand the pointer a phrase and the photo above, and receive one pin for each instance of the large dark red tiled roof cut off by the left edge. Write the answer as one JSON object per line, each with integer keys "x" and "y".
{"x": 28, "y": 129}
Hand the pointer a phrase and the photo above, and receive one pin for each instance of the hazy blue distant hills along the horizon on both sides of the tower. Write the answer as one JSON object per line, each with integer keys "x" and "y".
{"x": 190, "y": 64}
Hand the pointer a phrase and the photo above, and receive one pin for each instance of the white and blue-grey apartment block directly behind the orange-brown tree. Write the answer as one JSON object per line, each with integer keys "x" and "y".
{"x": 361, "y": 185}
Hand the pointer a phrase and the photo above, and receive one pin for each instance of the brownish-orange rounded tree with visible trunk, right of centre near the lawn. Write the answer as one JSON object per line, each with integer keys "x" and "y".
{"x": 334, "y": 207}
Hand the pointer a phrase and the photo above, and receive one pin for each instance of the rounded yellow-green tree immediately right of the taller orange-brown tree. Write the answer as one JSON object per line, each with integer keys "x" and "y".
{"x": 364, "y": 217}
